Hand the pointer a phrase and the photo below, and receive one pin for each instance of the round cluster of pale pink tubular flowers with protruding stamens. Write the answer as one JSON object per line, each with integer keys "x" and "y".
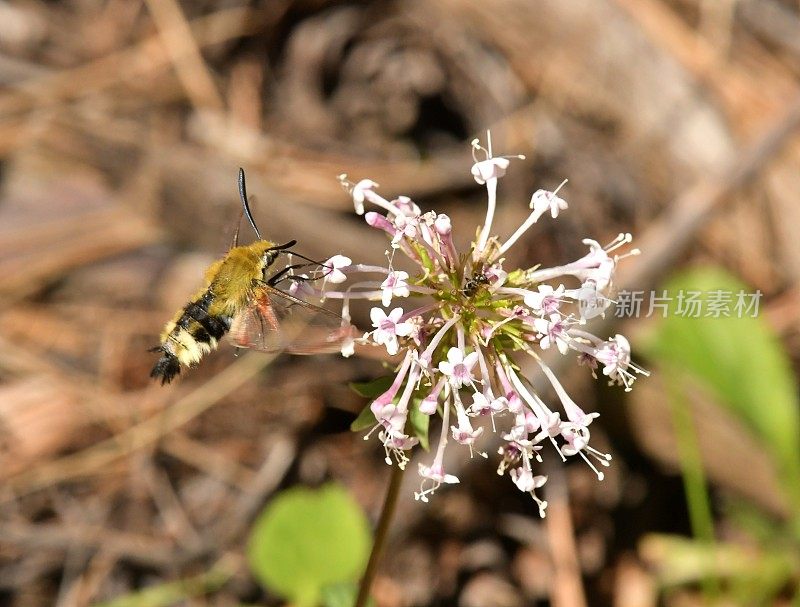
{"x": 458, "y": 324}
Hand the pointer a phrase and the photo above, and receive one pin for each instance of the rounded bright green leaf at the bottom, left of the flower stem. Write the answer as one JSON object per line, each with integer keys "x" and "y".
{"x": 306, "y": 539}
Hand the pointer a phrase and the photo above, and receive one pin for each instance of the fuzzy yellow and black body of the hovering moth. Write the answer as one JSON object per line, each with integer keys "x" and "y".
{"x": 197, "y": 328}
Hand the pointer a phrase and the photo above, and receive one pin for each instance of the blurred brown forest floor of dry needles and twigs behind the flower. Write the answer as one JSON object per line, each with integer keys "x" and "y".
{"x": 122, "y": 125}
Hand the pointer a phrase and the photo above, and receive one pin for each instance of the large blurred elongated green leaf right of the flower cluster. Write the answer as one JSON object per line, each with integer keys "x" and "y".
{"x": 741, "y": 360}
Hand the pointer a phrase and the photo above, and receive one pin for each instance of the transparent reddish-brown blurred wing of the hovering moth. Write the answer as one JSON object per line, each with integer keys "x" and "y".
{"x": 276, "y": 321}
